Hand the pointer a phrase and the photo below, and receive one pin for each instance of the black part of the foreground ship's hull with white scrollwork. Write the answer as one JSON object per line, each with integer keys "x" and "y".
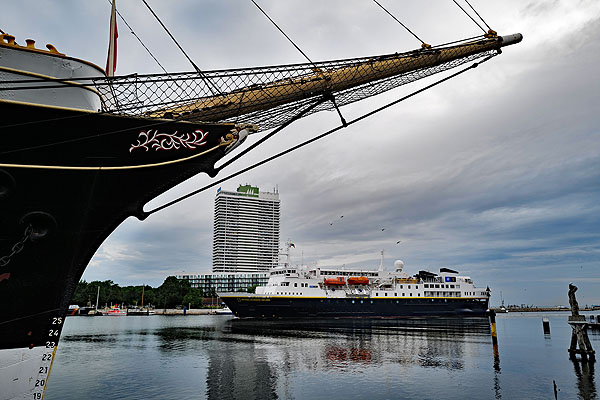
{"x": 72, "y": 210}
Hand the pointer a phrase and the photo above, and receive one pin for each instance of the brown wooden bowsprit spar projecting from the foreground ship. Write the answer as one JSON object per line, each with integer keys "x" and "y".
{"x": 323, "y": 82}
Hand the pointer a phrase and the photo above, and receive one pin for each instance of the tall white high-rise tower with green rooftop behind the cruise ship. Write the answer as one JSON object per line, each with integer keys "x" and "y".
{"x": 246, "y": 230}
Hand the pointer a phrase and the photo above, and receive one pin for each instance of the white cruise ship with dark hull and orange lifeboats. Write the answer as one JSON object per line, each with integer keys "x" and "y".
{"x": 313, "y": 292}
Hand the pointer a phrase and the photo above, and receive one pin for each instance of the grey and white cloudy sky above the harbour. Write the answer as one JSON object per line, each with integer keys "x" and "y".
{"x": 495, "y": 173}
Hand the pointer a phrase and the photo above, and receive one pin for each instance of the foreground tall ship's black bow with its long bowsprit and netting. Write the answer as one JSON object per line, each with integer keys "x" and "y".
{"x": 82, "y": 151}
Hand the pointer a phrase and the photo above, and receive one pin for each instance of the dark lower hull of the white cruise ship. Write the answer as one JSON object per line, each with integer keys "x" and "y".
{"x": 297, "y": 307}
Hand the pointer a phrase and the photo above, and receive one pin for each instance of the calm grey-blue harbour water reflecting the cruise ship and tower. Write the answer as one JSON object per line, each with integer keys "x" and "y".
{"x": 217, "y": 357}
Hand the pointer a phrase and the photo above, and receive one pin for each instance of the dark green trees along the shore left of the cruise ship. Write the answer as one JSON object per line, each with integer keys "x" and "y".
{"x": 172, "y": 293}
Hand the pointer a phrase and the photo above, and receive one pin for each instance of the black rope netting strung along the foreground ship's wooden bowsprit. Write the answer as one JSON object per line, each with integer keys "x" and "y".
{"x": 271, "y": 96}
